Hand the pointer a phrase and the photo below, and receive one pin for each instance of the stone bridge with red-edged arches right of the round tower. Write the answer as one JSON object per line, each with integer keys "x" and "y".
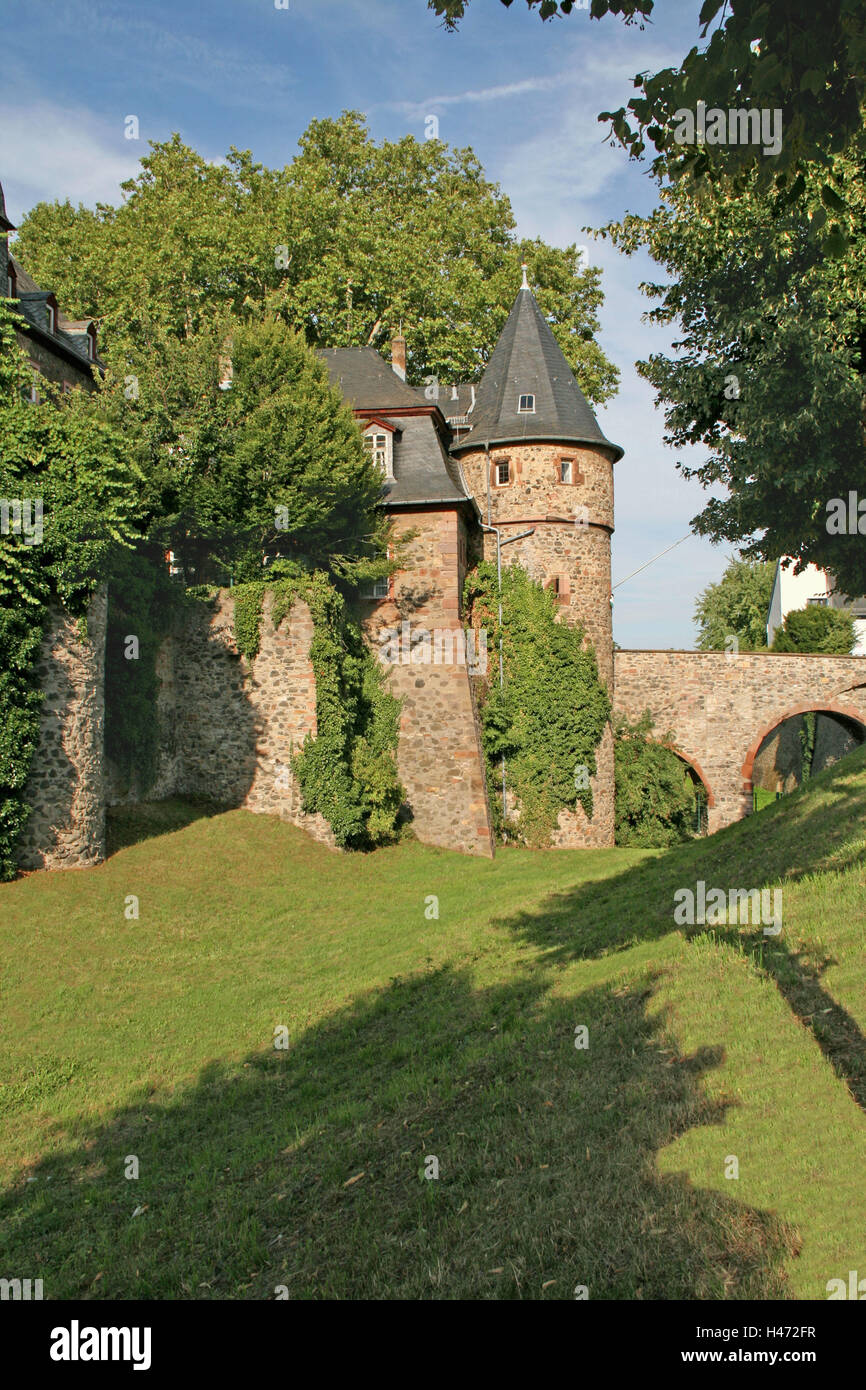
{"x": 722, "y": 708}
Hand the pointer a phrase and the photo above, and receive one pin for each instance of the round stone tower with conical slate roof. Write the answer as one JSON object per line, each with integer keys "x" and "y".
{"x": 536, "y": 458}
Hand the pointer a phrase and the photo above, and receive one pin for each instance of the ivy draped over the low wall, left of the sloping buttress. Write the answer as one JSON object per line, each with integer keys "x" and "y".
{"x": 348, "y": 772}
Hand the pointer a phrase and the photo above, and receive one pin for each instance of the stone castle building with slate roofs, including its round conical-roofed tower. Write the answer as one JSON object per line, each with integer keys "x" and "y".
{"x": 464, "y": 473}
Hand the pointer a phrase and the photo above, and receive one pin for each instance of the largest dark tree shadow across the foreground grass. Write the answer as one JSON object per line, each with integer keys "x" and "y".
{"x": 307, "y": 1168}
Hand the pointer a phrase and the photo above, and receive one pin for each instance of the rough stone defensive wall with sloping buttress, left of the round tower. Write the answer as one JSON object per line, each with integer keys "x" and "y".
{"x": 229, "y": 730}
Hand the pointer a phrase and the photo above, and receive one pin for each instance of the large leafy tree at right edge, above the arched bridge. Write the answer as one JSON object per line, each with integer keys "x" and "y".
{"x": 769, "y": 365}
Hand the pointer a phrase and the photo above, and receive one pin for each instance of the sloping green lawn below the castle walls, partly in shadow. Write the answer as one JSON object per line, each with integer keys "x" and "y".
{"x": 412, "y": 1036}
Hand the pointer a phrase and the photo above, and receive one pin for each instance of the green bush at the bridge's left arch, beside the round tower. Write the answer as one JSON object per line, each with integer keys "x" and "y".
{"x": 655, "y": 799}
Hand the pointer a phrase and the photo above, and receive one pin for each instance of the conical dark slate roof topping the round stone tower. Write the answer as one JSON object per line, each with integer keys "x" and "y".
{"x": 528, "y": 361}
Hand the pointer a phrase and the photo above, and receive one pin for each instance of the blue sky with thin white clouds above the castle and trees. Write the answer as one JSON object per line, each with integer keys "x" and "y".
{"x": 523, "y": 94}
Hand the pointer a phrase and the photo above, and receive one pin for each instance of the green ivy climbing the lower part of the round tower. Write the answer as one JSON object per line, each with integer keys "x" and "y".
{"x": 551, "y": 715}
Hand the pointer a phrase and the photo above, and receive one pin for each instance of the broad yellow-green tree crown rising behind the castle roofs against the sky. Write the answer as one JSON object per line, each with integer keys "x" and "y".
{"x": 347, "y": 244}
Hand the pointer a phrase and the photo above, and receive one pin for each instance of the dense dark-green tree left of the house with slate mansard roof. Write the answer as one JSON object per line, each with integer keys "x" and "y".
{"x": 268, "y": 461}
